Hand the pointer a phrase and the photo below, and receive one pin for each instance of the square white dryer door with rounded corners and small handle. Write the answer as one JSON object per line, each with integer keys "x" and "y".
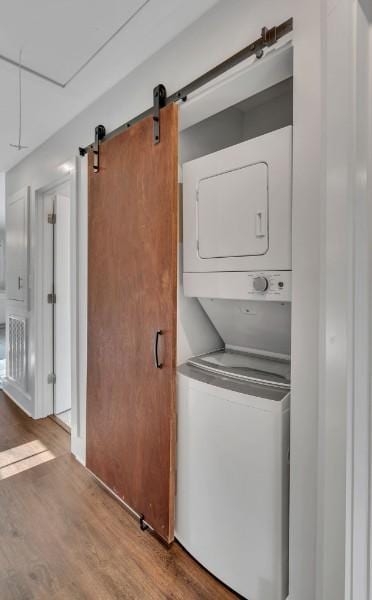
{"x": 232, "y": 213}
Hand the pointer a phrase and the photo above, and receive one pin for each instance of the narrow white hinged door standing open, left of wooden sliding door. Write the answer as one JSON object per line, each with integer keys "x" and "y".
{"x": 62, "y": 307}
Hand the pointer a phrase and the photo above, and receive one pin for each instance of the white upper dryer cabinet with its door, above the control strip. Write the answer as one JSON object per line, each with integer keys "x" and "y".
{"x": 237, "y": 207}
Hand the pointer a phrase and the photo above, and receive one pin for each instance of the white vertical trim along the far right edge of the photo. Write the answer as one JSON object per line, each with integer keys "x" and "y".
{"x": 358, "y": 449}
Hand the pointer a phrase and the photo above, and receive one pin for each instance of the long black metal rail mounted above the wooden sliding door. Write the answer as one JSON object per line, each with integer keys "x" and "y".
{"x": 268, "y": 38}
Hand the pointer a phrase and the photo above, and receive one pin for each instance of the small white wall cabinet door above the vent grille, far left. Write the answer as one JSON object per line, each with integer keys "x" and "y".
{"x": 16, "y": 245}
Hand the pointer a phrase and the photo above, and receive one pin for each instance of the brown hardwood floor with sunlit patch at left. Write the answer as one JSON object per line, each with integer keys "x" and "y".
{"x": 63, "y": 537}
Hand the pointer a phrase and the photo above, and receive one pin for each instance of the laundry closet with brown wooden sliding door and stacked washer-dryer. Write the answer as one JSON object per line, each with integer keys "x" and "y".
{"x": 189, "y": 321}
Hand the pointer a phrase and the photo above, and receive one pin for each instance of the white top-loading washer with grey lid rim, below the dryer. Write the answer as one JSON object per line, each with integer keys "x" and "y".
{"x": 233, "y": 470}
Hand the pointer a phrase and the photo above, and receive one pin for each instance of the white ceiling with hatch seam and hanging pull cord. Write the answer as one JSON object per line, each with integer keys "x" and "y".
{"x": 85, "y": 46}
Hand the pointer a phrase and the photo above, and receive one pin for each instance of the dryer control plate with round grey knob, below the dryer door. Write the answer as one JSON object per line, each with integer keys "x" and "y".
{"x": 270, "y": 284}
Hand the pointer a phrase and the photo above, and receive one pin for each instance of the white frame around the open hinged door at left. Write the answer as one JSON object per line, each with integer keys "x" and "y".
{"x": 43, "y": 390}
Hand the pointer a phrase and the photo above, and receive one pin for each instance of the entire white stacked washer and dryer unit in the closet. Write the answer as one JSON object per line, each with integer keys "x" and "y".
{"x": 233, "y": 403}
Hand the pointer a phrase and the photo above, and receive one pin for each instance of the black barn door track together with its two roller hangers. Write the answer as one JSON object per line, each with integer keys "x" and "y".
{"x": 268, "y": 37}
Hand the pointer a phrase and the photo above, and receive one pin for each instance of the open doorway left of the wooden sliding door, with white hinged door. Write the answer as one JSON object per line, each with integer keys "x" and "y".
{"x": 55, "y": 293}
